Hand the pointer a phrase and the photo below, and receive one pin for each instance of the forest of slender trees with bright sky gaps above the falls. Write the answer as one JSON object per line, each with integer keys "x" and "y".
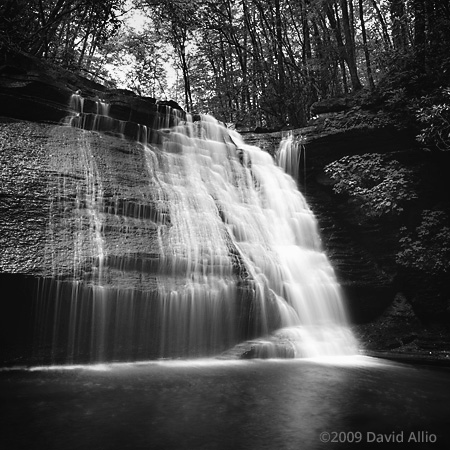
{"x": 253, "y": 63}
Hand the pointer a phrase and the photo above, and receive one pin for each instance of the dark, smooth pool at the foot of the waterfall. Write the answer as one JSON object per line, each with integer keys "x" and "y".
{"x": 212, "y": 404}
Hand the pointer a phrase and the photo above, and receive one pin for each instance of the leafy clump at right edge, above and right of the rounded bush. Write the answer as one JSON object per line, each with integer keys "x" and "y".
{"x": 435, "y": 120}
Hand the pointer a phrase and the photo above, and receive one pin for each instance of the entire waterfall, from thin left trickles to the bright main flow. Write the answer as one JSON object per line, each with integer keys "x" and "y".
{"x": 213, "y": 246}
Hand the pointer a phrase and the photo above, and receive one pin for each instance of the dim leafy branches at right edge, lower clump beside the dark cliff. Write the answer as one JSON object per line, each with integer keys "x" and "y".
{"x": 428, "y": 246}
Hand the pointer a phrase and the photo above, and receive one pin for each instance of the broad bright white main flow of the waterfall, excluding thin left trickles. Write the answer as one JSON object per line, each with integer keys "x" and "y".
{"x": 223, "y": 194}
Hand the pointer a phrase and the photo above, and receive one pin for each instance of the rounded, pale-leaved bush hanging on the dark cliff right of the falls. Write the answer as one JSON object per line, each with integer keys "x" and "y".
{"x": 381, "y": 186}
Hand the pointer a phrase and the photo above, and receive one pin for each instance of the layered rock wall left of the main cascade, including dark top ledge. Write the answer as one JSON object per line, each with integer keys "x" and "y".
{"x": 56, "y": 182}
